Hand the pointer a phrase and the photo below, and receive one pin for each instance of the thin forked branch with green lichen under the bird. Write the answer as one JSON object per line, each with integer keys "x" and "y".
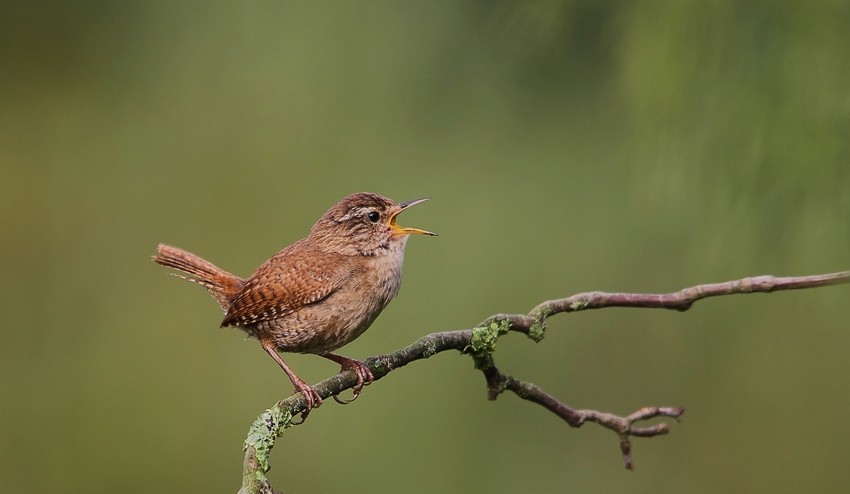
{"x": 480, "y": 344}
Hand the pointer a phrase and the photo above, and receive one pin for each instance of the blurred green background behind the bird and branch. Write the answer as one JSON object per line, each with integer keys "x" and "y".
{"x": 568, "y": 146}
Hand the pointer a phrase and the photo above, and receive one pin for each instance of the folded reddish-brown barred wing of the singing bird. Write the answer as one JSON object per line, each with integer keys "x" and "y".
{"x": 293, "y": 278}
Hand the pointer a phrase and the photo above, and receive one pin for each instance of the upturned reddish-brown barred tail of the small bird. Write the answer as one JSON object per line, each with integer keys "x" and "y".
{"x": 223, "y": 286}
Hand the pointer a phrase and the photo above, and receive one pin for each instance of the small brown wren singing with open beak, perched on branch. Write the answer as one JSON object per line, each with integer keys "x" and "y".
{"x": 319, "y": 293}
